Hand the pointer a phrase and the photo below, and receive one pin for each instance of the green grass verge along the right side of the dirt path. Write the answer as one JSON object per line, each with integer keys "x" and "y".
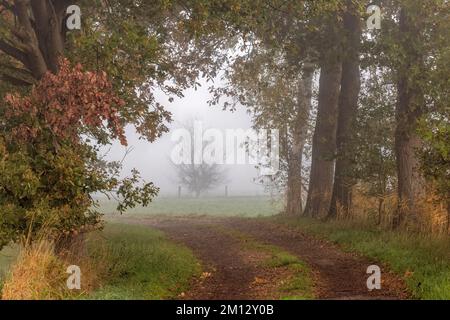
{"x": 423, "y": 262}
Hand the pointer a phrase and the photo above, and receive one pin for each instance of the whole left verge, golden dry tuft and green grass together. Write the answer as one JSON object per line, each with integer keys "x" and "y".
{"x": 121, "y": 262}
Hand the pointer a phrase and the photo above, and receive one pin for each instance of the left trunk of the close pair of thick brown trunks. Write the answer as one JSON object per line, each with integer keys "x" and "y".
{"x": 324, "y": 140}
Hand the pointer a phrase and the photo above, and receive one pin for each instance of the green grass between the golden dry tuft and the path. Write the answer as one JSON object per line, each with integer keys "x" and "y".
{"x": 143, "y": 264}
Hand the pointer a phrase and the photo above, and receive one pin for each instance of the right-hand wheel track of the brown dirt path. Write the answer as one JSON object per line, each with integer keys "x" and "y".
{"x": 340, "y": 275}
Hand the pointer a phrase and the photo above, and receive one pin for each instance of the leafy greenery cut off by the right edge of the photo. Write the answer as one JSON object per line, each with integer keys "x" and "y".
{"x": 434, "y": 127}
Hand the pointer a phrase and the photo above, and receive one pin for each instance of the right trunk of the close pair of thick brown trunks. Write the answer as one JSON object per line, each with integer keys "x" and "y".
{"x": 348, "y": 106}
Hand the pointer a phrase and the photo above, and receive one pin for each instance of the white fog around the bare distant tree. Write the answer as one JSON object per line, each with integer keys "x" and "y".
{"x": 153, "y": 159}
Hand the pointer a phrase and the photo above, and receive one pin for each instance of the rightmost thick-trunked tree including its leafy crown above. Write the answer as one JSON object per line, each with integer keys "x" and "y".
{"x": 414, "y": 45}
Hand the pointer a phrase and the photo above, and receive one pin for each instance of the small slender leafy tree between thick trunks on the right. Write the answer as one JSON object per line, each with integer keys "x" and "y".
{"x": 374, "y": 168}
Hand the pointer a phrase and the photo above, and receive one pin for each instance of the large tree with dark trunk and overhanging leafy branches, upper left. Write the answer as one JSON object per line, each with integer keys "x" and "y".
{"x": 141, "y": 46}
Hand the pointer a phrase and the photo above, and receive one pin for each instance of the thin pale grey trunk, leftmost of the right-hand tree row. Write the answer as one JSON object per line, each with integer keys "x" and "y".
{"x": 294, "y": 205}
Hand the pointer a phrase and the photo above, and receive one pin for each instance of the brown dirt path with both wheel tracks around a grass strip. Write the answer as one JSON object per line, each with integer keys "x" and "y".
{"x": 231, "y": 272}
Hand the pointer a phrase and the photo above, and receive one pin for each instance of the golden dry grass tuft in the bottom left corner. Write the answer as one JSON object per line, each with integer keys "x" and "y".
{"x": 40, "y": 272}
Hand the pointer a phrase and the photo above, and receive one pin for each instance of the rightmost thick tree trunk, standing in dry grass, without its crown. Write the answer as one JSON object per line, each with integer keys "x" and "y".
{"x": 408, "y": 111}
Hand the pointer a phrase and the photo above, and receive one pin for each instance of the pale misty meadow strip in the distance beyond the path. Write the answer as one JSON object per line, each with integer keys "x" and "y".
{"x": 218, "y": 206}
